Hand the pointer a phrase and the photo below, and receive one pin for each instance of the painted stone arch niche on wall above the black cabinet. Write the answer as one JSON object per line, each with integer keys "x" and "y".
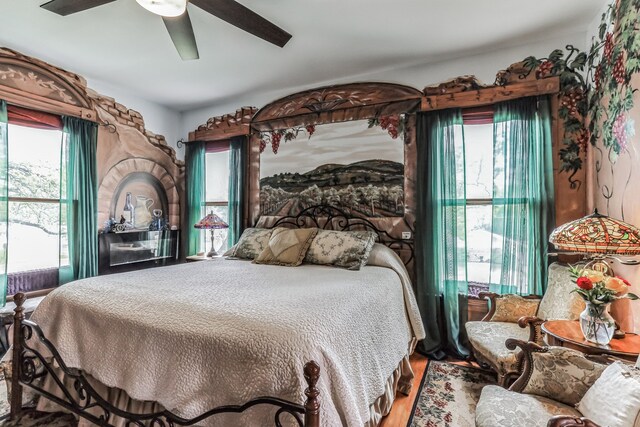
{"x": 149, "y": 183}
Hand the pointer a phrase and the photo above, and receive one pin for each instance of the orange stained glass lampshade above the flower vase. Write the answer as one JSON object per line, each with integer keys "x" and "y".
{"x": 597, "y": 234}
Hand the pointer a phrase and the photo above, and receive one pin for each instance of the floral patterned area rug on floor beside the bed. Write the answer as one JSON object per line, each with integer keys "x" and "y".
{"x": 448, "y": 395}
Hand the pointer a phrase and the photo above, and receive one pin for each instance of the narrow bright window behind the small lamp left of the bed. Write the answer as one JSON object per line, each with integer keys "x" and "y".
{"x": 217, "y": 197}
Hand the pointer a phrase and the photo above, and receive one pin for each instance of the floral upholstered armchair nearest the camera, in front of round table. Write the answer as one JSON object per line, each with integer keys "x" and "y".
{"x": 553, "y": 381}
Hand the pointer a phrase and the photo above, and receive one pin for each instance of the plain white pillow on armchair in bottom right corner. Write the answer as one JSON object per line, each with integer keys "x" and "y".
{"x": 614, "y": 399}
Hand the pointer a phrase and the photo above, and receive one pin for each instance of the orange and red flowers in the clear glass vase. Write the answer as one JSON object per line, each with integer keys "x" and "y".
{"x": 598, "y": 288}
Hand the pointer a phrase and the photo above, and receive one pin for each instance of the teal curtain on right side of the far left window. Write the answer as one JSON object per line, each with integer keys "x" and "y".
{"x": 78, "y": 200}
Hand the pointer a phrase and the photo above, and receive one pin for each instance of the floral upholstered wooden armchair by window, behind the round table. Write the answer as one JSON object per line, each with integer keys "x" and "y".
{"x": 513, "y": 316}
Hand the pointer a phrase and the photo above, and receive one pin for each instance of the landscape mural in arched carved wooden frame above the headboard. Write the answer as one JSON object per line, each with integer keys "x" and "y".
{"x": 351, "y": 146}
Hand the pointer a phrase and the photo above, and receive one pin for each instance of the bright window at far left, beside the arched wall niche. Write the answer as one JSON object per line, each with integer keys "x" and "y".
{"x": 34, "y": 199}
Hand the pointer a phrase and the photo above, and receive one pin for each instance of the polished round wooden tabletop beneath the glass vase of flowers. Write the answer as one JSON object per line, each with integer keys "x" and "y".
{"x": 567, "y": 333}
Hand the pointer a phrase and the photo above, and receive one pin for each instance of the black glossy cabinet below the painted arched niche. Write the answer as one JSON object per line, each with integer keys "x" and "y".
{"x": 134, "y": 250}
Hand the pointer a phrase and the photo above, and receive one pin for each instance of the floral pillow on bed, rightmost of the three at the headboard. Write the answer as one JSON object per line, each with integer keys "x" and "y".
{"x": 348, "y": 249}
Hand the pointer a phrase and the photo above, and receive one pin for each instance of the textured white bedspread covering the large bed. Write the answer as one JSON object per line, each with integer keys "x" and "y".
{"x": 198, "y": 335}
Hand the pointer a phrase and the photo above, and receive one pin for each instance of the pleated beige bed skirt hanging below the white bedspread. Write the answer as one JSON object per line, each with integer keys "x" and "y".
{"x": 400, "y": 381}
